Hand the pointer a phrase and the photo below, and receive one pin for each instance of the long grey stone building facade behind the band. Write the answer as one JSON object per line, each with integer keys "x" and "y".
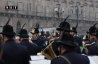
{"x": 49, "y": 13}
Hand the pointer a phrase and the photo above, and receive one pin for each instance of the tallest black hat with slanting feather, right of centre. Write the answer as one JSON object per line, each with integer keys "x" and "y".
{"x": 63, "y": 25}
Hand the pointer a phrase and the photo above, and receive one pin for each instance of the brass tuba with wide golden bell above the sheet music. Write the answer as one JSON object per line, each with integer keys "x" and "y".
{"x": 48, "y": 51}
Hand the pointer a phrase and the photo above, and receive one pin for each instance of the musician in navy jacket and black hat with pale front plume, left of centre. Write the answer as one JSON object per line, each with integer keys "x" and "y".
{"x": 37, "y": 39}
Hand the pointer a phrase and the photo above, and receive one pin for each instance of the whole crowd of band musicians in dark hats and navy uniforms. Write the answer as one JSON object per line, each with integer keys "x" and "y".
{"x": 68, "y": 47}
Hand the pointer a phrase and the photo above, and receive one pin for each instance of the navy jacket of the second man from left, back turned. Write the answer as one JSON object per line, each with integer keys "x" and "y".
{"x": 33, "y": 49}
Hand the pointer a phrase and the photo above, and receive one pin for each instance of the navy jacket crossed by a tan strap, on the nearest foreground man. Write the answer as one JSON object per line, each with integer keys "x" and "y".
{"x": 73, "y": 57}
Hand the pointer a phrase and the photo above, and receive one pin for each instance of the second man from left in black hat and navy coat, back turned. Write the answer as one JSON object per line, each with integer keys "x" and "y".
{"x": 33, "y": 49}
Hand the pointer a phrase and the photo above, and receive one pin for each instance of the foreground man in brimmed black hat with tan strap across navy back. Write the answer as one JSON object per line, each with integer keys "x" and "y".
{"x": 68, "y": 55}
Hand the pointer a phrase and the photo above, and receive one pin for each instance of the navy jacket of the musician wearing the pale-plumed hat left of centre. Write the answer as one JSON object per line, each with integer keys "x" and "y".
{"x": 39, "y": 42}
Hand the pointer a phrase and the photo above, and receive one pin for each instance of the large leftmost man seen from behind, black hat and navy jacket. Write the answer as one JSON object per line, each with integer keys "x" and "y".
{"x": 13, "y": 53}
